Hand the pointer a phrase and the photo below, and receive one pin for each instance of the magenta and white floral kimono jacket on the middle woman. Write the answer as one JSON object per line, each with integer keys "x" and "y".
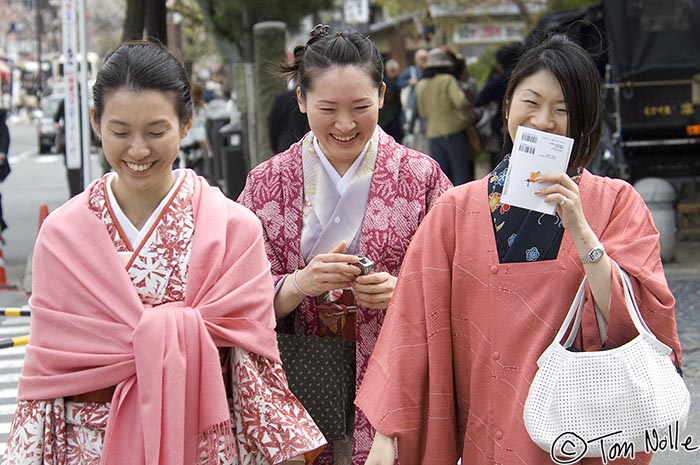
{"x": 403, "y": 185}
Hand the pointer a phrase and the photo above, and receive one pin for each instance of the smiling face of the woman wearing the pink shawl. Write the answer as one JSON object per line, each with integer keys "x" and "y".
{"x": 140, "y": 134}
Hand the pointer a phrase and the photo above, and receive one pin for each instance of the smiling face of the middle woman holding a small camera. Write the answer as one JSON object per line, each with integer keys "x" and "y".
{"x": 343, "y": 110}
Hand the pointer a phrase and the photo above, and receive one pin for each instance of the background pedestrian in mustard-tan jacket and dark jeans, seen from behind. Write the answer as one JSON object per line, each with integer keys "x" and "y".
{"x": 447, "y": 113}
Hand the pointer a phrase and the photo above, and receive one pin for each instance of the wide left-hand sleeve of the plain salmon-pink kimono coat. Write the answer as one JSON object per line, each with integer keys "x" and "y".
{"x": 408, "y": 389}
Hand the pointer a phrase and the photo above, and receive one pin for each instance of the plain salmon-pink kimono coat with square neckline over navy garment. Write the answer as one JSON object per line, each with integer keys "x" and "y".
{"x": 458, "y": 349}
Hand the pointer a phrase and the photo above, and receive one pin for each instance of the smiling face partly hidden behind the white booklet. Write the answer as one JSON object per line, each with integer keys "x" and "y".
{"x": 538, "y": 103}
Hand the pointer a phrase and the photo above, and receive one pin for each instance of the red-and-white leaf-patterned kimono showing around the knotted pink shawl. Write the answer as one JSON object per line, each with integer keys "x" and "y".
{"x": 56, "y": 432}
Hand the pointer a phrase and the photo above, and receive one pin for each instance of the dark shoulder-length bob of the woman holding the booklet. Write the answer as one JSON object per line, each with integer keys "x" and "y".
{"x": 579, "y": 79}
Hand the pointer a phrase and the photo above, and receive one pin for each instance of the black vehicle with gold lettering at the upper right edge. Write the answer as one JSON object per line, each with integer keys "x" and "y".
{"x": 648, "y": 54}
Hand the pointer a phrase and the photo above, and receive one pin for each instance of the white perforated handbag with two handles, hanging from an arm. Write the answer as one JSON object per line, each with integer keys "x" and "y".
{"x": 587, "y": 404}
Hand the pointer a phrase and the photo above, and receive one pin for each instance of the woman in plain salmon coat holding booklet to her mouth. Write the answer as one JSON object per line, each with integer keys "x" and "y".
{"x": 485, "y": 286}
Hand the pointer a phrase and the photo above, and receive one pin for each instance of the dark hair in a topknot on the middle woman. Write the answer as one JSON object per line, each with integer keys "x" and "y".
{"x": 323, "y": 51}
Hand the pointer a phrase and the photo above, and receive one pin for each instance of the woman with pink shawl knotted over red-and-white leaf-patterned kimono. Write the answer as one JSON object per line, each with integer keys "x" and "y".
{"x": 152, "y": 309}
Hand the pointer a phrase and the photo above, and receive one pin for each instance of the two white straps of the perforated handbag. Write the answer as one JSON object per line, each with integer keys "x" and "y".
{"x": 575, "y": 313}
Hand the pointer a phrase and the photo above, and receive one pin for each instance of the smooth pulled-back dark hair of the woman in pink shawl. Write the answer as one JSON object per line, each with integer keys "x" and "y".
{"x": 141, "y": 65}
